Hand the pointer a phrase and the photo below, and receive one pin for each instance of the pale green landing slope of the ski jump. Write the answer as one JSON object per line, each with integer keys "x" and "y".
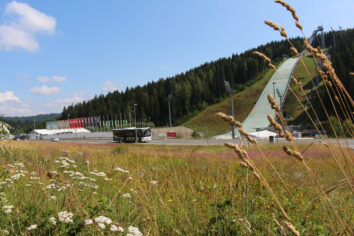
{"x": 258, "y": 116}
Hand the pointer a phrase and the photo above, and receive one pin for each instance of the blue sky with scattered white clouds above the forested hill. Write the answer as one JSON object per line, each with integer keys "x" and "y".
{"x": 54, "y": 53}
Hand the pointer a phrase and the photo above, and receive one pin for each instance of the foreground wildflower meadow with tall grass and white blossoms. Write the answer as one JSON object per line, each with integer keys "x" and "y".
{"x": 94, "y": 189}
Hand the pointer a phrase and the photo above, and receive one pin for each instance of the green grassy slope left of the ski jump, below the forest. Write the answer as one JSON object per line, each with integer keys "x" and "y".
{"x": 206, "y": 121}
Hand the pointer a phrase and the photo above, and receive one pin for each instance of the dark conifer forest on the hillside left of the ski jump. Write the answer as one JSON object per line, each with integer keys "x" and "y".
{"x": 191, "y": 91}
